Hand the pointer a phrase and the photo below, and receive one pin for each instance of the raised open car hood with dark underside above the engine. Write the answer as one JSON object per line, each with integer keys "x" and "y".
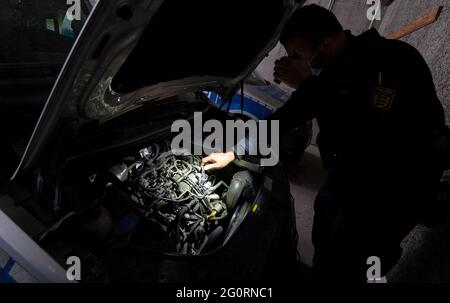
{"x": 135, "y": 51}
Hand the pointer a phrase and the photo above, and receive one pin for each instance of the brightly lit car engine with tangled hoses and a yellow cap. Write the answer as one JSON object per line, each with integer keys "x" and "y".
{"x": 182, "y": 204}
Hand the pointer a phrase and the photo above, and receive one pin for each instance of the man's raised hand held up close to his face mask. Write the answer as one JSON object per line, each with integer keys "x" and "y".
{"x": 291, "y": 71}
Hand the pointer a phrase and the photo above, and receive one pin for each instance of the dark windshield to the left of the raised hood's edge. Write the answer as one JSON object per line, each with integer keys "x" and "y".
{"x": 36, "y": 39}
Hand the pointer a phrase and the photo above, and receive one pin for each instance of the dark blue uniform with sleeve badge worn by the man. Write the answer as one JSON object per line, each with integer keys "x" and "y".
{"x": 377, "y": 108}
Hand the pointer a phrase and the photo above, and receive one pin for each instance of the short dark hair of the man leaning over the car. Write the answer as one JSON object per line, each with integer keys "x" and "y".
{"x": 312, "y": 23}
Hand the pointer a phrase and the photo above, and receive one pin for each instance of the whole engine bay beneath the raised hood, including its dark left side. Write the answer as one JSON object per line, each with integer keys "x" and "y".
{"x": 153, "y": 198}
